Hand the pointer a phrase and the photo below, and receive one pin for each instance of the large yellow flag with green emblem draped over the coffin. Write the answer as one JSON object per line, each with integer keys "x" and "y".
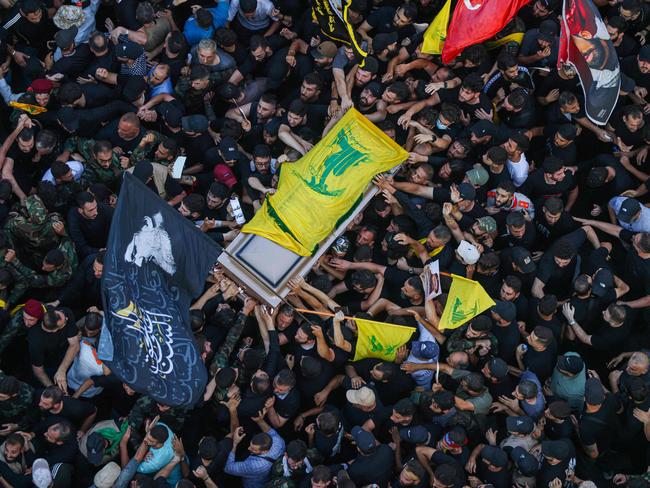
{"x": 320, "y": 189}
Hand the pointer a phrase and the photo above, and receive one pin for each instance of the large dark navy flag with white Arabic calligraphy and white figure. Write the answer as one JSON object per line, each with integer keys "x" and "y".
{"x": 156, "y": 262}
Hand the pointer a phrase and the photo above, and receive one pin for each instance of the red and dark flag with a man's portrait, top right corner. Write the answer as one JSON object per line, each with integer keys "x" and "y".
{"x": 585, "y": 43}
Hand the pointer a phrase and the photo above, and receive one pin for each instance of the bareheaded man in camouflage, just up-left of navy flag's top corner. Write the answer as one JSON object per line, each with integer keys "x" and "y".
{"x": 102, "y": 163}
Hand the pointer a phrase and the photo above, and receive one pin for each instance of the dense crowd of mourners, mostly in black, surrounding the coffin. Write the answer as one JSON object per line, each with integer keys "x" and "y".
{"x": 507, "y": 183}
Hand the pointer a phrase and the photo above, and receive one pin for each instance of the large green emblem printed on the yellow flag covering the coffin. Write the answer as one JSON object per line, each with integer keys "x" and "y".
{"x": 337, "y": 163}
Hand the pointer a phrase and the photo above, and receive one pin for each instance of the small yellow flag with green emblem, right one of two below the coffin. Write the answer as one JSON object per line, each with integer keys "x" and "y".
{"x": 466, "y": 300}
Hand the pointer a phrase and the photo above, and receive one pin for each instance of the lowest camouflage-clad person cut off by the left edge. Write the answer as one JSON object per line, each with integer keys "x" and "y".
{"x": 17, "y": 411}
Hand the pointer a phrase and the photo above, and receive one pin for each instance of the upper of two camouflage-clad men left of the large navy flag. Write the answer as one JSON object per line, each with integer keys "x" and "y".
{"x": 33, "y": 231}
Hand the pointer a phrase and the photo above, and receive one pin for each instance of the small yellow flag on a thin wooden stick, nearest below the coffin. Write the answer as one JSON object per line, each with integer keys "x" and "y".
{"x": 380, "y": 340}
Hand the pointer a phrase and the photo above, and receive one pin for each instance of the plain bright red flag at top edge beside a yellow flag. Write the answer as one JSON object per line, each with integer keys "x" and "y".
{"x": 474, "y": 21}
